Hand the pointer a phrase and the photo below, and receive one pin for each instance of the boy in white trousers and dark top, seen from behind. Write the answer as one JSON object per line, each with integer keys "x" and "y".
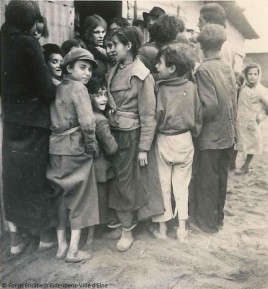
{"x": 179, "y": 118}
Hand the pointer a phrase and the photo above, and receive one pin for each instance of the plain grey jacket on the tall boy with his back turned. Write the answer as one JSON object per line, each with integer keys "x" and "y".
{"x": 217, "y": 92}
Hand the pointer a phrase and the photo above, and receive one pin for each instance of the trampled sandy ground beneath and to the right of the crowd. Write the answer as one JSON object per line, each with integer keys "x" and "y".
{"x": 235, "y": 258}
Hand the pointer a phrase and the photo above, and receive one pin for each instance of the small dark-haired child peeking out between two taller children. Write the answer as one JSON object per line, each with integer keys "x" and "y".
{"x": 107, "y": 147}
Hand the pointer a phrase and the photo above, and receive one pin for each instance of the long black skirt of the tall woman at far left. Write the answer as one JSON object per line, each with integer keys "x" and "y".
{"x": 27, "y": 195}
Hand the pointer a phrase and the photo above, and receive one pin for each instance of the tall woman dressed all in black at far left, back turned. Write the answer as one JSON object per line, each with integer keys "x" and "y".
{"x": 26, "y": 91}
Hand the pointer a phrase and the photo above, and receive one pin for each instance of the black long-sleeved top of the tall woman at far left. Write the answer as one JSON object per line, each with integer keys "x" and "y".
{"x": 27, "y": 86}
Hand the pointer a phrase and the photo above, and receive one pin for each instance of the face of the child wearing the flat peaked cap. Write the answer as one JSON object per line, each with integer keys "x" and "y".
{"x": 81, "y": 71}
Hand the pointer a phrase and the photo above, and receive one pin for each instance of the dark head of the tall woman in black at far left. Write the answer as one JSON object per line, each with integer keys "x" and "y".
{"x": 22, "y": 14}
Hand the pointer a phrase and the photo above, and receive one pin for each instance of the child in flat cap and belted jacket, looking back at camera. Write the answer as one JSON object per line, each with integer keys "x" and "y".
{"x": 72, "y": 145}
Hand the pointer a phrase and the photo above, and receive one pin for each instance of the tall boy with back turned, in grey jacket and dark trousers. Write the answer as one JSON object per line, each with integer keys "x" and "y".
{"x": 217, "y": 91}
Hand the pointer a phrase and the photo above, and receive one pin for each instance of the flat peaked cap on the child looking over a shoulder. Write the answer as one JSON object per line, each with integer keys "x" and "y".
{"x": 79, "y": 54}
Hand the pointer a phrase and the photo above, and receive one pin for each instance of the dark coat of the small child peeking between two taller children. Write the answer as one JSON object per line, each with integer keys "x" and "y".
{"x": 107, "y": 147}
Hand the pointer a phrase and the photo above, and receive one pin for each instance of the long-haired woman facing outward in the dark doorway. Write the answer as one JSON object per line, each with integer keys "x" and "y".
{"x": 93, "y": 31}
